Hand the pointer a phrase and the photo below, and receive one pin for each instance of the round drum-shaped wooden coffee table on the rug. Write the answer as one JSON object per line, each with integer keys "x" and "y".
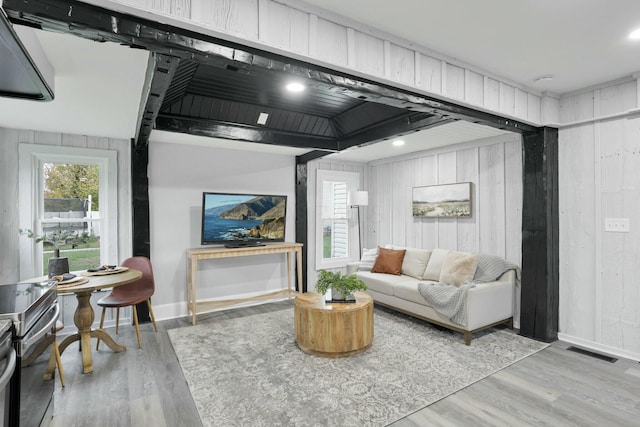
{"x": 333, "y": 329}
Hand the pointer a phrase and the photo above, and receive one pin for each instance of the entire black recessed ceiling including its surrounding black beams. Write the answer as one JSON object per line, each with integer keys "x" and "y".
{"x": 209, "y": 87}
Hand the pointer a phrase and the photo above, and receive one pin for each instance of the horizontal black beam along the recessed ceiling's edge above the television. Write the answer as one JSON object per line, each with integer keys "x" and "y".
{"x": 238, "y": 132}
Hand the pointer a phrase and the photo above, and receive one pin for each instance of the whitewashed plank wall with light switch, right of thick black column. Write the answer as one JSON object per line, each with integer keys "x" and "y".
{"x": 599, "y": 178}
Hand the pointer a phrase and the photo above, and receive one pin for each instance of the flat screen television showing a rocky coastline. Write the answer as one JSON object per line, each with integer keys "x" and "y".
{"x": 237, "y": 220}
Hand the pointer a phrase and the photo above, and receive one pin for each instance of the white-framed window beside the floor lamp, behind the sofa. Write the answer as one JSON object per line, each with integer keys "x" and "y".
{"x": 336, "y": 225}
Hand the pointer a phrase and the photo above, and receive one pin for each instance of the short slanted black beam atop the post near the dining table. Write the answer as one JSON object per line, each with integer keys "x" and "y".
{"x": 161, "y": 74}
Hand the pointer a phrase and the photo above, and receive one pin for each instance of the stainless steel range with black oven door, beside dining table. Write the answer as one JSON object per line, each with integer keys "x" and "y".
{"x": 33, "y": 310}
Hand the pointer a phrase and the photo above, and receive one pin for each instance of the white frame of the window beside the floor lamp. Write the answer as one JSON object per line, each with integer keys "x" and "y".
{"x": 352, "y": 179}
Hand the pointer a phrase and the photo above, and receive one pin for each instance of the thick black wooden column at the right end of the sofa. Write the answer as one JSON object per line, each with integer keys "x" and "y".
{"x": 540, "y": 259}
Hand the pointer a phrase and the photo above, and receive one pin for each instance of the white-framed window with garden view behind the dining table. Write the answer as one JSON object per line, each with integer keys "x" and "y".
{"x": 69, "y": 196}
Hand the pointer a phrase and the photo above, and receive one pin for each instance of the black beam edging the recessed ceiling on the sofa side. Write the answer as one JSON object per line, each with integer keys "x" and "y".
{"x": 391, "y": 128}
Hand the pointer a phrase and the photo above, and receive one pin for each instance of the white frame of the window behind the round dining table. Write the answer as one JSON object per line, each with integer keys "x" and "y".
{"x": 32, "y": 157}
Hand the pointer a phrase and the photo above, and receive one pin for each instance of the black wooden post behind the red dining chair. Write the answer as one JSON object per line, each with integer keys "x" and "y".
{"x": 140, "y": 207}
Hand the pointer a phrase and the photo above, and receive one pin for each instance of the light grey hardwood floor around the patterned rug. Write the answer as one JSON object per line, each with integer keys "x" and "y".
{"x": 145, "y": 387}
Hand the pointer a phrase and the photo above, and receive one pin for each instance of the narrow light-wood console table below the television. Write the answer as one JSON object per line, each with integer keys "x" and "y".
{"x": 194, "y": 255}
